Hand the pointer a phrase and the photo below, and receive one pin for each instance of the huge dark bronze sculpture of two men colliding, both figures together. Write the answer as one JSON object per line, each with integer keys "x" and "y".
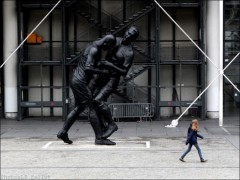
{"x": 118, "y": 62}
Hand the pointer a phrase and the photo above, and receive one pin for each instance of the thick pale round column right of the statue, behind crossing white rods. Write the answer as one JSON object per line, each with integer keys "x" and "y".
{"x": 214, "y": 51}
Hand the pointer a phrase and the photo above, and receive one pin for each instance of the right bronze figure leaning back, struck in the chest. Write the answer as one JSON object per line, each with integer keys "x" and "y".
{"x": 118, "y": 61}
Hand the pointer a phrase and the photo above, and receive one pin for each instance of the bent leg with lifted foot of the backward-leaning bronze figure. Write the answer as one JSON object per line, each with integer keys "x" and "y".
{"x": 103, "y": 107}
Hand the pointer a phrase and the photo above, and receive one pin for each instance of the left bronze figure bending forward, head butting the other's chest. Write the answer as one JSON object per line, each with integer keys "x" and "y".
{"x": 81, "y": 77}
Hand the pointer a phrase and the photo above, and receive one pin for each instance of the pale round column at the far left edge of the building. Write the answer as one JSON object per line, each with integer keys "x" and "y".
{"x": 10, "y": 42}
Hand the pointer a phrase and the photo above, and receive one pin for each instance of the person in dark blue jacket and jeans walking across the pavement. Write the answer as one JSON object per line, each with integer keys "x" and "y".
{"x": 192, "y": 140}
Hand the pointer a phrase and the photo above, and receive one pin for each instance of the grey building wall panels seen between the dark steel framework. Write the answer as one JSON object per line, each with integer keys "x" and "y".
{"x": 187, "y": 18}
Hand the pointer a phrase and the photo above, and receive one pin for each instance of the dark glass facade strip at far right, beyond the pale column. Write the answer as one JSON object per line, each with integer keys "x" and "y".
{"x": 232, "y": 48}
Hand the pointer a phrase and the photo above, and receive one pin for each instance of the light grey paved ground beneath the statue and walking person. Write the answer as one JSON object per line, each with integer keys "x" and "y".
{"x": 144, "y": 150}
